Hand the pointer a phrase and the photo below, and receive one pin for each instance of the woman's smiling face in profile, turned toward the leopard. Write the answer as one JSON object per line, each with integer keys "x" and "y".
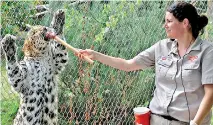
{"x": 174, "y": 28}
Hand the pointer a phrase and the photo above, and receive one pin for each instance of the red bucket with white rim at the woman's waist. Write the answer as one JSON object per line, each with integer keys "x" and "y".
{"x": 142, "y": 116}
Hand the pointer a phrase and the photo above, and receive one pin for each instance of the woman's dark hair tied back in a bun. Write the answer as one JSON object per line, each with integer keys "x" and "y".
{"x": 182, "y": 10}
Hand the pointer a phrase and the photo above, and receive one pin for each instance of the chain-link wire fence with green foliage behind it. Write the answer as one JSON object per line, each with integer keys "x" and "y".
{"x": 93, "y": 94}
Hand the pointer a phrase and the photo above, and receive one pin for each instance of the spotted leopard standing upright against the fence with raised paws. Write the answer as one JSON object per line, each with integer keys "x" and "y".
{"x": 35, "y": 77}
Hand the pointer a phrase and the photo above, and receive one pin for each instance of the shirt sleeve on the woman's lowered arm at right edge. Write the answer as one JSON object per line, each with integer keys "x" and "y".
{"x": 207, "y": 68}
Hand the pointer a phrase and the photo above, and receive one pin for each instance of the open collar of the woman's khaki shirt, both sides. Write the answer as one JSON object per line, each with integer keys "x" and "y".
{"x": 195, "y": 46}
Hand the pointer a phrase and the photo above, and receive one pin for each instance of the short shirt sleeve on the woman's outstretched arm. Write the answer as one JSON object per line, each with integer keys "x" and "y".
{"x": 146, "y": 58}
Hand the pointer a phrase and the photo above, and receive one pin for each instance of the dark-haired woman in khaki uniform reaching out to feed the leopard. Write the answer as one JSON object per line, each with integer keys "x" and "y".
{"x": 183, "y": 67}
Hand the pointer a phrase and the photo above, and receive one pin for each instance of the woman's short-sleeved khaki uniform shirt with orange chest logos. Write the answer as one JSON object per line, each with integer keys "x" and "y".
{"x": 179, "y": 80}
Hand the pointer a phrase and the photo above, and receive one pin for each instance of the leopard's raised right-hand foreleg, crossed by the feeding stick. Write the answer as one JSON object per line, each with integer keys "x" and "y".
{"x": 60, "y": 55}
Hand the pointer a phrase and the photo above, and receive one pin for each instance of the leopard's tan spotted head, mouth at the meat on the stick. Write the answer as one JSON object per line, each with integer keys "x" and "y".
{"x": 35, "y": 43}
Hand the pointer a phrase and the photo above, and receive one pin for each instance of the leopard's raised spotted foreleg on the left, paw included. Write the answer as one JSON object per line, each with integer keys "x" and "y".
{"x": 17, "y": 73}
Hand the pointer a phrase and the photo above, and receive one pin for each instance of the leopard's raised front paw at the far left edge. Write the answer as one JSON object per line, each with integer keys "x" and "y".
{"x": 8, "y": 44}
